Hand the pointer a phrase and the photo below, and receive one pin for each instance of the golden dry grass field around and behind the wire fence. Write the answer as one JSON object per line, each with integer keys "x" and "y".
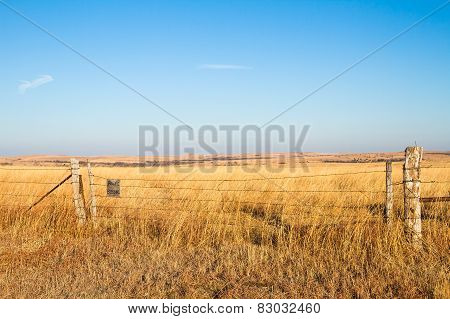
{"x": 226, "y": 234}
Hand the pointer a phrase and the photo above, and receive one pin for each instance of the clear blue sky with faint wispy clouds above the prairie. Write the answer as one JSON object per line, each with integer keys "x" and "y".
{"x": 174, "y": 52}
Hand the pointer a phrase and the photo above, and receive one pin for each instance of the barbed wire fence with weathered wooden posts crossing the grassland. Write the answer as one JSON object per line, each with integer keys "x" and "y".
{"x": 136, "y": 190}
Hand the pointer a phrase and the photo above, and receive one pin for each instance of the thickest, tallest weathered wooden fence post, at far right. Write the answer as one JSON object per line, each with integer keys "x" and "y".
{"x": 411, "y": 189}
